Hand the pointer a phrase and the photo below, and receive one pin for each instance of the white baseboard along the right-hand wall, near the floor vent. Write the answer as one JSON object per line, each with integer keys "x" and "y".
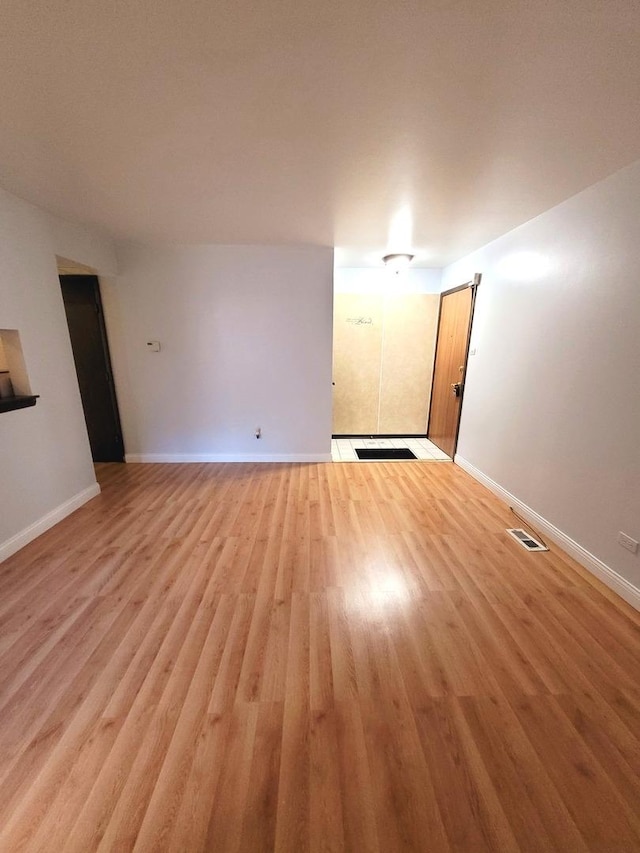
{"x": 606, "y": 574}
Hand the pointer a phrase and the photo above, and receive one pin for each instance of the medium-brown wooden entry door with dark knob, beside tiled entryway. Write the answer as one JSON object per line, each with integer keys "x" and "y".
{"x": 454, "y": 325}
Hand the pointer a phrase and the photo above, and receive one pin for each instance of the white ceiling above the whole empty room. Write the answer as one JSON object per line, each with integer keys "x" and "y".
{"x": 291, "y": 121}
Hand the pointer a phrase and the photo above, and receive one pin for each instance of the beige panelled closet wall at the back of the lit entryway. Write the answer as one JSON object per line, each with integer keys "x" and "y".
{"x": 383, "y": 362}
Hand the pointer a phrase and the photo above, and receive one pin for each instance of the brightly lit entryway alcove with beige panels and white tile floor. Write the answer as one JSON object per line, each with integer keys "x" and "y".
{"x": 383, "y": 354}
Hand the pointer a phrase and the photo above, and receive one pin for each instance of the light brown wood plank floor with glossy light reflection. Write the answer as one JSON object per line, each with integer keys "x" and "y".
{"x": 311, "y": 657}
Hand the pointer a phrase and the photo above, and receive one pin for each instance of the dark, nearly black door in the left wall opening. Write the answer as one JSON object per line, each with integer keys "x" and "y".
{"x": 81, "y": 294}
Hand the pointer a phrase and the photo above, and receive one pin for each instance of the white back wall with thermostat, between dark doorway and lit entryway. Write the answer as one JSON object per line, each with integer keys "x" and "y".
{"x": 245, "y": 333}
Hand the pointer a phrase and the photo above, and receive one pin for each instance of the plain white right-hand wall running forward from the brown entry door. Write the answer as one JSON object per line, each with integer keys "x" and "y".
{"x": 552, "y": 402}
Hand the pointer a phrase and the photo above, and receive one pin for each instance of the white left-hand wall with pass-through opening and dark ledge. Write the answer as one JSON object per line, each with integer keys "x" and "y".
{"x": 45, "y": 459}
